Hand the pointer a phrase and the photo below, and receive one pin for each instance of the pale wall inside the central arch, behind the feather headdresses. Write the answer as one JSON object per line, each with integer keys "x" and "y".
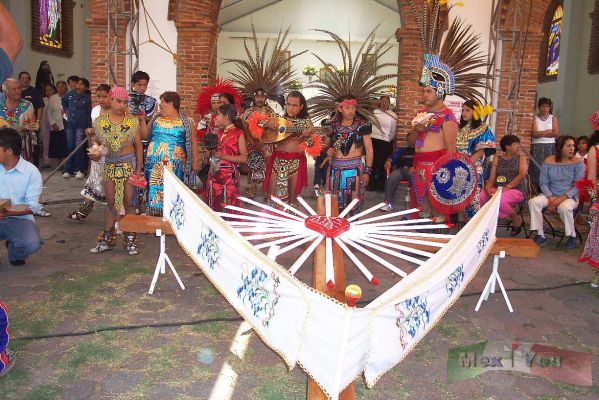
{"x": 343, "y": 17}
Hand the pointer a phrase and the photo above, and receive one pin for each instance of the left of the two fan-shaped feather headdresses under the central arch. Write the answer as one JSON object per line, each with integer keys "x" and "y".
{"x": 273, "y": 75}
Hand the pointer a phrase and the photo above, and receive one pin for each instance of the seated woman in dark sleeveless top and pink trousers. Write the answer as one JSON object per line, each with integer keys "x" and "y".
{"x": 509, "y": 172}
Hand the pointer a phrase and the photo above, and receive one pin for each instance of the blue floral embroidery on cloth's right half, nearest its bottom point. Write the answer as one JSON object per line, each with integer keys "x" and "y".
{"x": 414, "y": 314}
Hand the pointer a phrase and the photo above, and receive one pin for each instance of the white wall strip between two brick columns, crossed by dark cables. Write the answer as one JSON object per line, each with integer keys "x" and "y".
{"x": 158, "y": 63}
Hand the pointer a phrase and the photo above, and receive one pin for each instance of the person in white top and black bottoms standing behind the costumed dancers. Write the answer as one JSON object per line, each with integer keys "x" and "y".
{"x": 383, "y": 140}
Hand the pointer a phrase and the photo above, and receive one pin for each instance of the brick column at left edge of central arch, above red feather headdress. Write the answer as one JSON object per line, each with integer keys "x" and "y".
{"x": 196, "y": 48}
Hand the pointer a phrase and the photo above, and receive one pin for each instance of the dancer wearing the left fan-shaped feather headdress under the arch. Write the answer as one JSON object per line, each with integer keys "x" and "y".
{"x": 260, "y": 78}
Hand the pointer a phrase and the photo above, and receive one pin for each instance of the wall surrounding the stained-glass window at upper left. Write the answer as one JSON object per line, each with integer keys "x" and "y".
{"x": 29, "y": 60}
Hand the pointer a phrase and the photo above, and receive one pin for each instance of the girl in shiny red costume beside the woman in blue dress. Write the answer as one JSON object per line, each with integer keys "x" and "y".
{"x": 223, "y": 179}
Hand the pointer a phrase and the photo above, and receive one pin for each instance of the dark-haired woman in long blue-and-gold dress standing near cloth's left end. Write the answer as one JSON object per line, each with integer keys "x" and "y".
{"x": 172, "y": 143}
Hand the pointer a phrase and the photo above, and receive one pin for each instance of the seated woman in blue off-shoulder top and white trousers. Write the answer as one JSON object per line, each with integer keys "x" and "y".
{"x": 560, "y": 194}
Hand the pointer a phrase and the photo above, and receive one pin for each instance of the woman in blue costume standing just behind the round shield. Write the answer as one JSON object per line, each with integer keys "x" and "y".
{"x": 476, "y": 140}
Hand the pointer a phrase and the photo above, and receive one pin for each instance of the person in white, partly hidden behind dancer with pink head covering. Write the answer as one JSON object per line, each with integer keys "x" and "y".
{"x": 93, "y": 190}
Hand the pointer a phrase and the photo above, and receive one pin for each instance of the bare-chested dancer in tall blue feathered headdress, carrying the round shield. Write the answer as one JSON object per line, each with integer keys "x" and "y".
{"x": 447, "y": 70}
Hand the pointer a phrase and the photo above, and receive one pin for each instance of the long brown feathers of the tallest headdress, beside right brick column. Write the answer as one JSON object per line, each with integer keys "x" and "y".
{"x": 460, "y": 50}
